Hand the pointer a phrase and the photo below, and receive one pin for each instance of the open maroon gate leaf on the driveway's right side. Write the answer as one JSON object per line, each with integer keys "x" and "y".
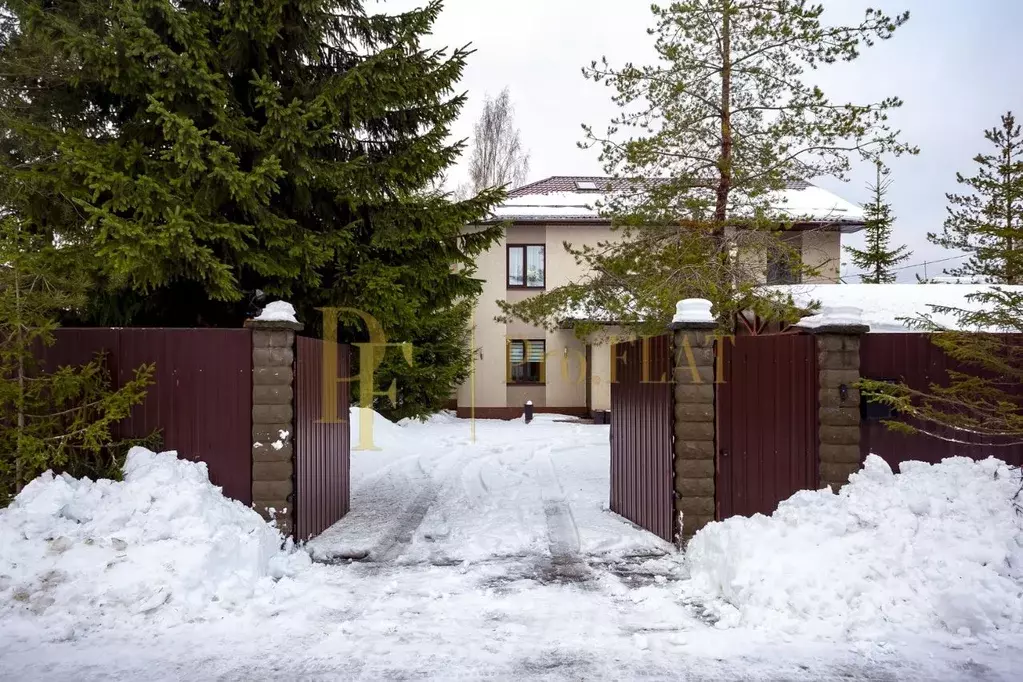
{"x": 642, "y": 420}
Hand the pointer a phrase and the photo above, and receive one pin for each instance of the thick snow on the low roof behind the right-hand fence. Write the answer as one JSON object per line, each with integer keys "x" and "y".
{"x": 885, "y": 308}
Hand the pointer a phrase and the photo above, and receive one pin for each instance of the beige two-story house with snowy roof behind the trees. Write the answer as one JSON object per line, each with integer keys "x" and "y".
{"x": 518, "y": 362}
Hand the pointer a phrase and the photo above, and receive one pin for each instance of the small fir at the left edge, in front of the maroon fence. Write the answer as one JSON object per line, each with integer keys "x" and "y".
{"x": 51, "y": 419}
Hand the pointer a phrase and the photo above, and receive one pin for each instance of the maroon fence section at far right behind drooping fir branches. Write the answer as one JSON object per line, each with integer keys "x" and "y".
{"x": 914, "y": 360}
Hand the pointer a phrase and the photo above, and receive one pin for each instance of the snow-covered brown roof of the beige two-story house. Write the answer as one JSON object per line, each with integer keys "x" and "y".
{"x": 573, "y": 199}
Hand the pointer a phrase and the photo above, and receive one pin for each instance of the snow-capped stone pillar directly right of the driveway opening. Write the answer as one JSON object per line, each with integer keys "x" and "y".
{"x": 695, "y": 426}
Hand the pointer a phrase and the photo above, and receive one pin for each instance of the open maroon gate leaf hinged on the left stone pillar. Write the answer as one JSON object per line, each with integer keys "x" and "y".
{"x": 323, "y": 447}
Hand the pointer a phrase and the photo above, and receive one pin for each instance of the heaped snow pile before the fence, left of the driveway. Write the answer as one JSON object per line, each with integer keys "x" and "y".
{"x": 164, "y": 540}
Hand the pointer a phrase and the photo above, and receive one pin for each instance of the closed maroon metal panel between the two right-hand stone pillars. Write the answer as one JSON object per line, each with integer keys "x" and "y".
{"x": 768, "y": 423}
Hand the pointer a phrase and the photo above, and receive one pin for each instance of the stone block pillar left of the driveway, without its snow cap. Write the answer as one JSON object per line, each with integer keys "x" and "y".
{"x": 274, "y": 421}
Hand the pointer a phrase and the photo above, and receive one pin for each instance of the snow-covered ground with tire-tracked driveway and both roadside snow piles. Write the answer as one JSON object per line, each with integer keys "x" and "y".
{"x": 499, "y": 560}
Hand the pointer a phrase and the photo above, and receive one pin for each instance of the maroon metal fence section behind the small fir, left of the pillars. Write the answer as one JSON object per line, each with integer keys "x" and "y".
{"x": 201, "y": 401}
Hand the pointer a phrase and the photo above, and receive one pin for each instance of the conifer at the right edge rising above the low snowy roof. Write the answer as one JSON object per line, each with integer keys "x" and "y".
{"x": 987, "y": 221}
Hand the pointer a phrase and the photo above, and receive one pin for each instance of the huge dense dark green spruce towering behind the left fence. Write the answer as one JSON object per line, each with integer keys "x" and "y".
{"x": 208, "y": 152}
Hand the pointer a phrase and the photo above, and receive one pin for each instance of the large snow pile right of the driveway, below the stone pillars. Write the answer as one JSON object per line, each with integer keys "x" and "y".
{"x": 931, "y": 550}
